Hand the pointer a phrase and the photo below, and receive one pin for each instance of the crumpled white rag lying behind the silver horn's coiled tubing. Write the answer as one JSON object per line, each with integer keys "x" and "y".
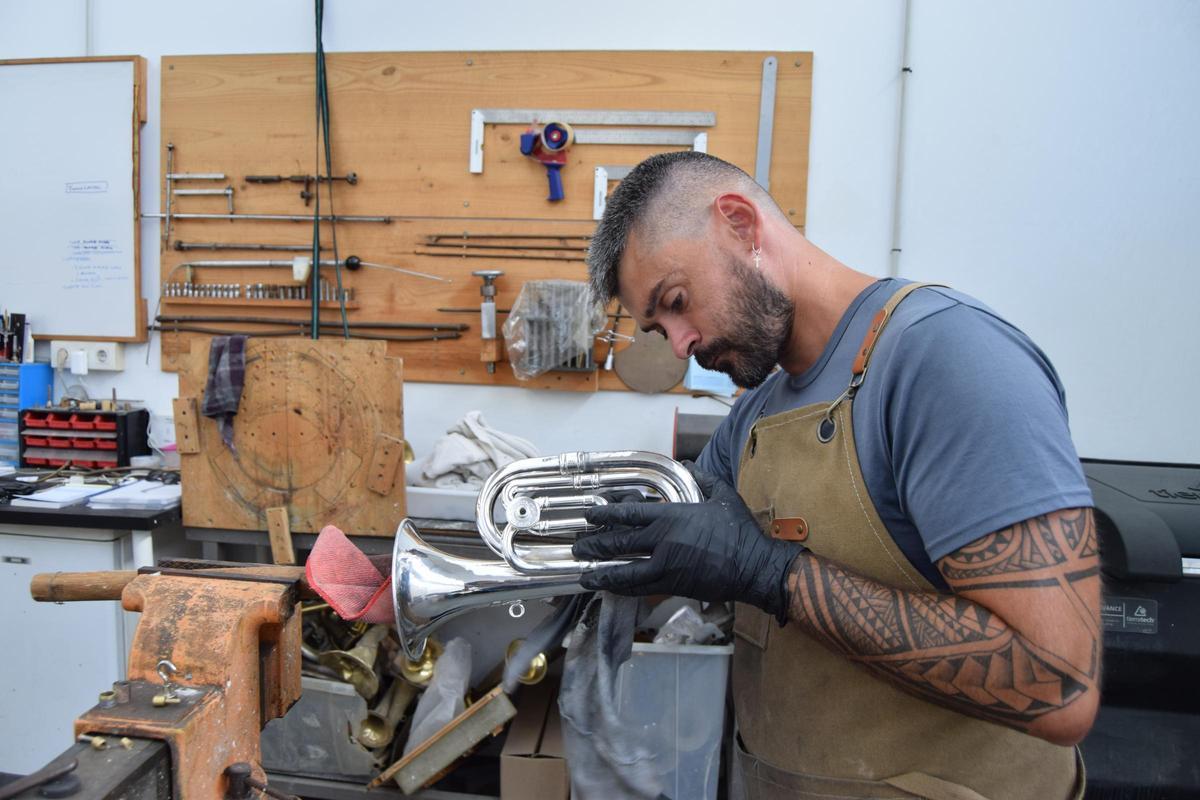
{"x": 470, "y": 454}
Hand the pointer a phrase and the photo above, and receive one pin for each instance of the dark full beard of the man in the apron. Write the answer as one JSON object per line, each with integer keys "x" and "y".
{"x": 759, "y": 329}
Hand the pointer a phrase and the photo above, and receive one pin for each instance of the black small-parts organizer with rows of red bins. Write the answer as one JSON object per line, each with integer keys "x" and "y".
{"x": 86, "y": 440}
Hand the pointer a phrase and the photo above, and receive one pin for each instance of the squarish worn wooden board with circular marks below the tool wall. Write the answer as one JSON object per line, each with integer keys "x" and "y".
{"x": 313, "y": 420}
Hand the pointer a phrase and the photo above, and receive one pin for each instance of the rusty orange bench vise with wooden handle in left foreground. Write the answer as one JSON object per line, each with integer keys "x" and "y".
{"x": 215, "y": 658}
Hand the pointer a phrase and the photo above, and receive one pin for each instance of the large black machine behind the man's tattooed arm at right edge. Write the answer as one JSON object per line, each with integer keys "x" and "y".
{"x": 1147, "y": 741}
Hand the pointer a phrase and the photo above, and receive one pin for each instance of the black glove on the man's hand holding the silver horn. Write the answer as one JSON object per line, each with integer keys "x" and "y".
{"x": 710, "y": 551}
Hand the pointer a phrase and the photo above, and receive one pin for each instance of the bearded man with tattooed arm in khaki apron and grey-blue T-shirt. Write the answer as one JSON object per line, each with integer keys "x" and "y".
{"x": 910, "y": 543}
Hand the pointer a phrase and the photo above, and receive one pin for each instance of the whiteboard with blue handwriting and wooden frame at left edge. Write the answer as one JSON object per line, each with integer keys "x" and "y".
{"x": 69, "y": 212}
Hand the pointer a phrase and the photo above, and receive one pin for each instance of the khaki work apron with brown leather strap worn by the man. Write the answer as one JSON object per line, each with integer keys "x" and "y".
{"x": 813, "y": 724}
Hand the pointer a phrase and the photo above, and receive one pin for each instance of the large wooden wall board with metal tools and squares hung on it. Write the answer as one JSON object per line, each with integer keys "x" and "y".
{"x": 401, "y": 123}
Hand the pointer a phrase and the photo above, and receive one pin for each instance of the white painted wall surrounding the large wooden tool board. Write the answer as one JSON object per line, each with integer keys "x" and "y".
{"x": 1046, "y": 171}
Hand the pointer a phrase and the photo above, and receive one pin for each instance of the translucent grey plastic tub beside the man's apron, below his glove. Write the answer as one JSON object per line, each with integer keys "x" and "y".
{"x": 674, "y": 695}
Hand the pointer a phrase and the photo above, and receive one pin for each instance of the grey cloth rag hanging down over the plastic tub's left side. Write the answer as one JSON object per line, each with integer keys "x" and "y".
{"x": 607, "y": 759}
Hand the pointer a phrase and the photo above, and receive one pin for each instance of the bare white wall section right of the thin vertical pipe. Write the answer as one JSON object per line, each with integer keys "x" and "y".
{"x": 1052, "y": 170}
